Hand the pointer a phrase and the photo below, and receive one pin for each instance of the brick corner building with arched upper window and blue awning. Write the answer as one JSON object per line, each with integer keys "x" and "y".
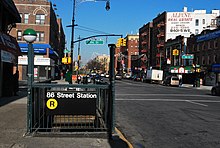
{"x": 40, "y": 16}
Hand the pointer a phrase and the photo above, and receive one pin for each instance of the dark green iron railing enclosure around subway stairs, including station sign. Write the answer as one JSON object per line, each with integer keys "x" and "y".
{"x": 64, "y": 108}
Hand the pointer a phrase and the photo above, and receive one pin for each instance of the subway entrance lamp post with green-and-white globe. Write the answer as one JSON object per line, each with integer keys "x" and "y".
{"x": 30, "y": 36}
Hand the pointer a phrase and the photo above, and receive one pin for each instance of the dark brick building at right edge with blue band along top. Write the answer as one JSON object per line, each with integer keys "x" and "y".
{"x": 206, "y": 50}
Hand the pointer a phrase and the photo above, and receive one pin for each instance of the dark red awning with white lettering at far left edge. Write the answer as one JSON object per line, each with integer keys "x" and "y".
{"x": 9, "y": 43}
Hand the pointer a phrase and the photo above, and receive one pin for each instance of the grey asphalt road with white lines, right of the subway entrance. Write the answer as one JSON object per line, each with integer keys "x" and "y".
{"x": 156, "y": 116}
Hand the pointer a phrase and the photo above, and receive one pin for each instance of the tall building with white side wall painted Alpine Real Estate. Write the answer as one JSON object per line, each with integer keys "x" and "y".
{"x": 168, "y": 25}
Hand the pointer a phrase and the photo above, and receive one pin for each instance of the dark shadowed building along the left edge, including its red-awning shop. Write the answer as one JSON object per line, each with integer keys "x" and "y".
{"x": 9, "y": 49}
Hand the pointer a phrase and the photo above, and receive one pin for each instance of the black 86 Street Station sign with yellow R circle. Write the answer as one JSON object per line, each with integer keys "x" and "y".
{"x": 70, "y": 103}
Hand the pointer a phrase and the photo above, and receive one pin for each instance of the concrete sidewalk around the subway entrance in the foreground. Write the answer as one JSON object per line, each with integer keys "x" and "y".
{"x": 13, "y": 115}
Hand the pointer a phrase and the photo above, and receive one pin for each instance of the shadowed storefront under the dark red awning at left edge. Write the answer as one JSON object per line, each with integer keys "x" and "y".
{"x": 9, "y": 52}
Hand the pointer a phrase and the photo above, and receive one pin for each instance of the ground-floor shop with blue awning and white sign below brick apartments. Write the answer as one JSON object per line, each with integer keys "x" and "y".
{"x": 44, "y": 65}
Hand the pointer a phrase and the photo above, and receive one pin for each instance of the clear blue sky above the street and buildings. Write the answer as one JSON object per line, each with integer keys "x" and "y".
{"x": 124, "y": 17}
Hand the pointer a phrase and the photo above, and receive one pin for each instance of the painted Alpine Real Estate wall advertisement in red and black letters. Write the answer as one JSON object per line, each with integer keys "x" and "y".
{"x": 179, "y": 23}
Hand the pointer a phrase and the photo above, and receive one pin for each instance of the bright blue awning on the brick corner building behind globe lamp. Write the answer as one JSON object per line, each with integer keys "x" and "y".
{"x": 38, "y": 48}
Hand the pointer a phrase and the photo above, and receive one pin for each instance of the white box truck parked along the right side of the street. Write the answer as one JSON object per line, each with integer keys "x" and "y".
{"x": 154, "y": 76}
